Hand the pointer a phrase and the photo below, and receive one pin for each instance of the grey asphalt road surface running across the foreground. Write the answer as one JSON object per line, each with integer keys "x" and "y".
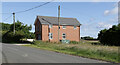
{"x": 21, "y": 54}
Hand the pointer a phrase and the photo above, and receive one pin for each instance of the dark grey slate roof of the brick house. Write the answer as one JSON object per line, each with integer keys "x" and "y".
{"x": 54, "y": 20}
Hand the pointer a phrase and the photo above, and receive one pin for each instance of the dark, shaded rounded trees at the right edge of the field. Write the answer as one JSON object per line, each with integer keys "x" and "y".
{"x": 110, "y": 36}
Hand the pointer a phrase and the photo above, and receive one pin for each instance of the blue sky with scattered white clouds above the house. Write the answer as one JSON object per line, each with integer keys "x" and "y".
{"x": 94, "y": 16}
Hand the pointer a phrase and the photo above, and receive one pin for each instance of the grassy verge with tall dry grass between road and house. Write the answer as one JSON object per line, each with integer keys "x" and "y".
{"x": 83, "y": 48}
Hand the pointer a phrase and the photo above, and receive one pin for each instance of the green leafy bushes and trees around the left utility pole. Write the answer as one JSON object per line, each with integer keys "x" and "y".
{"x": 21, "y": 31}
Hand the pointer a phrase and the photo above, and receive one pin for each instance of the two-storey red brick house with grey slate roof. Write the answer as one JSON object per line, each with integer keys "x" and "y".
{"x": 46, "y": 29}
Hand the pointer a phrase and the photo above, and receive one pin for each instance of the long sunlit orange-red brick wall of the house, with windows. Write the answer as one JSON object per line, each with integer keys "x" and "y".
{"x": 71, "y": 33}
